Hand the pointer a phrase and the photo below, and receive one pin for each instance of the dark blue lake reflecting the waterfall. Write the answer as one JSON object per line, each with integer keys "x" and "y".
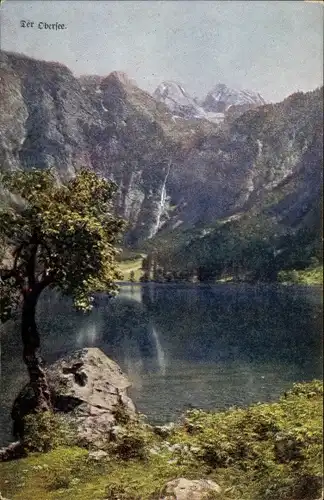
{"x": 184, "y": 346}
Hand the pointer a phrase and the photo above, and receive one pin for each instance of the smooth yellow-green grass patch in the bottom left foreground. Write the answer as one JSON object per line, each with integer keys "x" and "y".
{"x": 67, "y": 473}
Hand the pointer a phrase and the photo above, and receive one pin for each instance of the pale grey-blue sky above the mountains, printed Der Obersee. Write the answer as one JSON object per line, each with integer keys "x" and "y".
{"x": 273, "y": 47}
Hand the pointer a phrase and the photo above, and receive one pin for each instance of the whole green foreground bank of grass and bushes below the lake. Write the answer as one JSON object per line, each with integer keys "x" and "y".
{"x": 268, "y": 451}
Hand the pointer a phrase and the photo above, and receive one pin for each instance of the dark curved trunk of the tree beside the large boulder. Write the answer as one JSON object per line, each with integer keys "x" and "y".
{"x": 31, "y": 344}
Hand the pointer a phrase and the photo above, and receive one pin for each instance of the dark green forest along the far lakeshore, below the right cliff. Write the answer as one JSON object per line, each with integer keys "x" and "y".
{"x": 251, "y": 248}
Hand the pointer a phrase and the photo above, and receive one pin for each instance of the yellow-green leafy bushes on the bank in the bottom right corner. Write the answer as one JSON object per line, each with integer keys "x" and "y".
{"x": 277, "y": 446}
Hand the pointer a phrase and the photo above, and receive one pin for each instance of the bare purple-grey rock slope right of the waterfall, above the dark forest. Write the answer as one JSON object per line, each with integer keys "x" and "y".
{"x": 270, "y": 153}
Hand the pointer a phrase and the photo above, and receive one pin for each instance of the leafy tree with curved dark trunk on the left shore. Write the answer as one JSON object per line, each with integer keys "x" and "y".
{"x": 61, "y": 236}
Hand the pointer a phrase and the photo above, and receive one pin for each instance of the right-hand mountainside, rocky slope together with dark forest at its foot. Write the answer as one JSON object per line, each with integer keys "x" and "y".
{"x": 263, "y": 212}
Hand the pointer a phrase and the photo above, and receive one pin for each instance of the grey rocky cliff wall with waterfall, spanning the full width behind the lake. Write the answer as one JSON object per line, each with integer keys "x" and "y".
{"x": 171, "y": 172}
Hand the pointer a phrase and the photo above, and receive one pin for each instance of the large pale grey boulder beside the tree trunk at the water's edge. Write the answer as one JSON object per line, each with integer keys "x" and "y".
{"x": 90, "y": 389}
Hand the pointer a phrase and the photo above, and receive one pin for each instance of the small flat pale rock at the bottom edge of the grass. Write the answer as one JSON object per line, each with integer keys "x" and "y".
{"x": 188, "y": 489}
